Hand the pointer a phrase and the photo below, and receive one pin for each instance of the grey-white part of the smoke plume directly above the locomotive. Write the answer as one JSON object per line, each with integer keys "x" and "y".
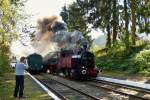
{"x": 69, "y": 40}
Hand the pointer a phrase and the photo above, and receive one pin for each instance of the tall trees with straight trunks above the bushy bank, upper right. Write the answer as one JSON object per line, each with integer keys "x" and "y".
{"x": 114, "y": 18}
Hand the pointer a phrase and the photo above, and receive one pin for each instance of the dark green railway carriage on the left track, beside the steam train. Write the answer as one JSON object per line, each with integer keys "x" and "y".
{"x": 35, "y": 63}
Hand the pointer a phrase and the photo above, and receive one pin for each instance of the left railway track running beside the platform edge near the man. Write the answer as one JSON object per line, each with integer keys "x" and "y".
{"x": 64, "y": 91}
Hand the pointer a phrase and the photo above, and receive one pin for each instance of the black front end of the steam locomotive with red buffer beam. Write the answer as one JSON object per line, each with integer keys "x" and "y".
{"x": 83, "y": 66}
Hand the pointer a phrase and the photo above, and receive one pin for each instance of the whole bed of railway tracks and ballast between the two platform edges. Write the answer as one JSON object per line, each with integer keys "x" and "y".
{"x": 92, "y": 90}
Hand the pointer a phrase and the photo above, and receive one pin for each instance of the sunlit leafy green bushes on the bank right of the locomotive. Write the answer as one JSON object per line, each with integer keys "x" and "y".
{"x": 117, "y": 58}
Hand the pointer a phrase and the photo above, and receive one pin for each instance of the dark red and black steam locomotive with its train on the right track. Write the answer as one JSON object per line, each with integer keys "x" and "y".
{"x": 76, "y": 66}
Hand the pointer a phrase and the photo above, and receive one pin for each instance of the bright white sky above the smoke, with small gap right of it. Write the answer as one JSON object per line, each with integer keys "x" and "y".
{"x": 46, "y": 8}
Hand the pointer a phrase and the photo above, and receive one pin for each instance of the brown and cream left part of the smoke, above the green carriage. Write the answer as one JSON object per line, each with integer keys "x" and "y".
{"x": 42, "y": 42}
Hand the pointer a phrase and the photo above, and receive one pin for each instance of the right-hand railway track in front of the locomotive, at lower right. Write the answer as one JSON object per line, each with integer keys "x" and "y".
{"x": 133, "y": 92}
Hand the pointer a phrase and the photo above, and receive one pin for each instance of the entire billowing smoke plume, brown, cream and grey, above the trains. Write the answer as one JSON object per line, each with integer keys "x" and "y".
{"x": 53, "y": 36}
